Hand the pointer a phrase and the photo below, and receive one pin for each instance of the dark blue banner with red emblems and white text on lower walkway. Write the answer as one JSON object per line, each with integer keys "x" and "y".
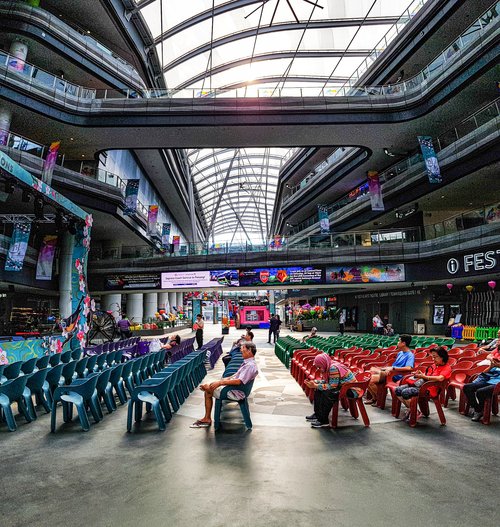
{"x": 280, "y": 276}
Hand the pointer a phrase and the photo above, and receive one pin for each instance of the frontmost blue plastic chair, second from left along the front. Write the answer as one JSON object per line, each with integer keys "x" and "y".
{"x": 81, "y": 395}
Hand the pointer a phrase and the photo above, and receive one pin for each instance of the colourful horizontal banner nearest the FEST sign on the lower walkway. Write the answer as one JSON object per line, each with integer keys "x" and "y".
{"x": 365, "y": 274}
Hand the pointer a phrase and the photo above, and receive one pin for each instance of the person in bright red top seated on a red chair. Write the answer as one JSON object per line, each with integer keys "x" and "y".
{"x": 439, "y": 371}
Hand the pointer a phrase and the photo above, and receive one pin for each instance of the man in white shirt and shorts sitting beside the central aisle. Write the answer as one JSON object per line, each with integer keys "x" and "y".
{"x": 246, "y": 373}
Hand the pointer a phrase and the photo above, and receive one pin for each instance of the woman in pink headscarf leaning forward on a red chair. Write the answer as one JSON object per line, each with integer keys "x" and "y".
{"x": 334, "y": 375}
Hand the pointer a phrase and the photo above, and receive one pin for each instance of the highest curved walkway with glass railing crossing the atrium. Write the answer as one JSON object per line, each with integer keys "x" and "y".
{"x": 283, "y": 120}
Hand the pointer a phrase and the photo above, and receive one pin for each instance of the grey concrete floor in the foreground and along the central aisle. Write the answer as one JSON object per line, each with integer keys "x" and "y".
{"x": 280, "y": 473}
